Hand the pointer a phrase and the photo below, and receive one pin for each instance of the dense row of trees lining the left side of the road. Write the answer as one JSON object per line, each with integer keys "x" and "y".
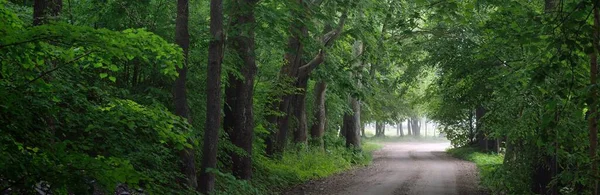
{"x": 142, "y": 93}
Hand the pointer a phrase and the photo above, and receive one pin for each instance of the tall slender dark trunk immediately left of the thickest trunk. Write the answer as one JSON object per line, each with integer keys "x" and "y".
{"x": 213, "y": 99}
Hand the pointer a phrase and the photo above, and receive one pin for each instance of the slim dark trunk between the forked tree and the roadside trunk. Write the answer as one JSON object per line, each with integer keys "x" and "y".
{"x": 318, "y": 129}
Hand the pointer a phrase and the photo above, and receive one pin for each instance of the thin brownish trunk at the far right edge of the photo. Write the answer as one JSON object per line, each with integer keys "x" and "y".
{"x": 593, "y": 117}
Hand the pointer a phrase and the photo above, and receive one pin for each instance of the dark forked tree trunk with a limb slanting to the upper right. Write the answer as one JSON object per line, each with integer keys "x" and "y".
{"x": 293, "y": 105}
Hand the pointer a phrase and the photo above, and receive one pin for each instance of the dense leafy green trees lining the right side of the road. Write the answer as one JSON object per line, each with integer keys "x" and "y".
{"x": 519, "y": 77}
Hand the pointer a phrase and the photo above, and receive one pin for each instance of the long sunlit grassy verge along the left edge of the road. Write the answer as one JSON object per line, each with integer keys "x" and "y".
{"x": 296, "y": 166}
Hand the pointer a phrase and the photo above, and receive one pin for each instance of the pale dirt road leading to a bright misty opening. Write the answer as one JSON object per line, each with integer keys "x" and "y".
{"x": 402, "y": 168}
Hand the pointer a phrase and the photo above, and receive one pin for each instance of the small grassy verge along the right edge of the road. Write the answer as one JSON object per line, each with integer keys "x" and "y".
{"x": 488, "y": 164}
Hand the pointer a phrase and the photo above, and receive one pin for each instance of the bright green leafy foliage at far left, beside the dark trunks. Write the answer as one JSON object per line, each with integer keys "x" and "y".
{"x": 64, "y": 121}
